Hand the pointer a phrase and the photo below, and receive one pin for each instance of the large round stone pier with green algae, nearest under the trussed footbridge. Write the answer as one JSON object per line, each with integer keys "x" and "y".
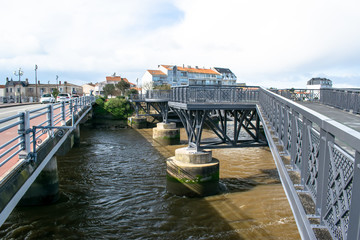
{"x": 192, "y": 173}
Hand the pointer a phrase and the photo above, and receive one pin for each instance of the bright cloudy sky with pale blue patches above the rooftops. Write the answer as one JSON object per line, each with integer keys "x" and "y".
{"x": 279, "y": 43}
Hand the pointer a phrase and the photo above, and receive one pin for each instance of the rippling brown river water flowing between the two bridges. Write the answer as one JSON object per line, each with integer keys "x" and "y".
{"x": 114, "y": 187}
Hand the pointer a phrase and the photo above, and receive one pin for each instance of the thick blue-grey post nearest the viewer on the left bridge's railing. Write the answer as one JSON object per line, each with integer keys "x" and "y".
{"x": 25, "y": 138}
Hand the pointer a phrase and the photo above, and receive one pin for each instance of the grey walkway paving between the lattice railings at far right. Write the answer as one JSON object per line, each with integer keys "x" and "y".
{"x": 348, "y": 119}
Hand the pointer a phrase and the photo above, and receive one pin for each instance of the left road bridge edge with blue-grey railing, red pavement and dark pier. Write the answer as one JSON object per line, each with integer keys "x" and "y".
{"x": 29, "y": 143}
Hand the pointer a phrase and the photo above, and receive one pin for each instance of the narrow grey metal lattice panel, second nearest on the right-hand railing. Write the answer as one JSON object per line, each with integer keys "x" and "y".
{"x": 313, "y": 164}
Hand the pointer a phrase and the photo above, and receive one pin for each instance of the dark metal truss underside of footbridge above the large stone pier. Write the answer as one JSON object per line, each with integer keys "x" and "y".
{"x": 233, "y": 126}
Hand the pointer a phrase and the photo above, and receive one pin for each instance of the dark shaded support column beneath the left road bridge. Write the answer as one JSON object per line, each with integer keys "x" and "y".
{"x": 45, "y": 189}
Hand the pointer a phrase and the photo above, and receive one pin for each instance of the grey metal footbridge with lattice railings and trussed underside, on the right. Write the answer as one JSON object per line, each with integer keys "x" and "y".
{"x": 317, "y": 158}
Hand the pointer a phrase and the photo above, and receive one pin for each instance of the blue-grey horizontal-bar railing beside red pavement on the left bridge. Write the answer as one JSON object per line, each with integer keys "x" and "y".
{"x": 22, "y": 133}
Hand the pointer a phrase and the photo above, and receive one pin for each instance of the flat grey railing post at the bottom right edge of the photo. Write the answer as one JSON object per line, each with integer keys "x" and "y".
{"x": 354, "y": 220}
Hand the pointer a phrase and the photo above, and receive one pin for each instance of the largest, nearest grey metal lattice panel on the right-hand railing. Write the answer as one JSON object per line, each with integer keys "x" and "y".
{"x": 338, "y": 200}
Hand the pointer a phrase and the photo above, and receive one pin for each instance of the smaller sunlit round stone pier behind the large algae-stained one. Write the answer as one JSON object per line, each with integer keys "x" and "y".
{"x": 166, "y": 134}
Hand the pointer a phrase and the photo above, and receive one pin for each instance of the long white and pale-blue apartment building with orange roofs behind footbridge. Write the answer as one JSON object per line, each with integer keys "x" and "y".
{"x": 180, "y": 75}
